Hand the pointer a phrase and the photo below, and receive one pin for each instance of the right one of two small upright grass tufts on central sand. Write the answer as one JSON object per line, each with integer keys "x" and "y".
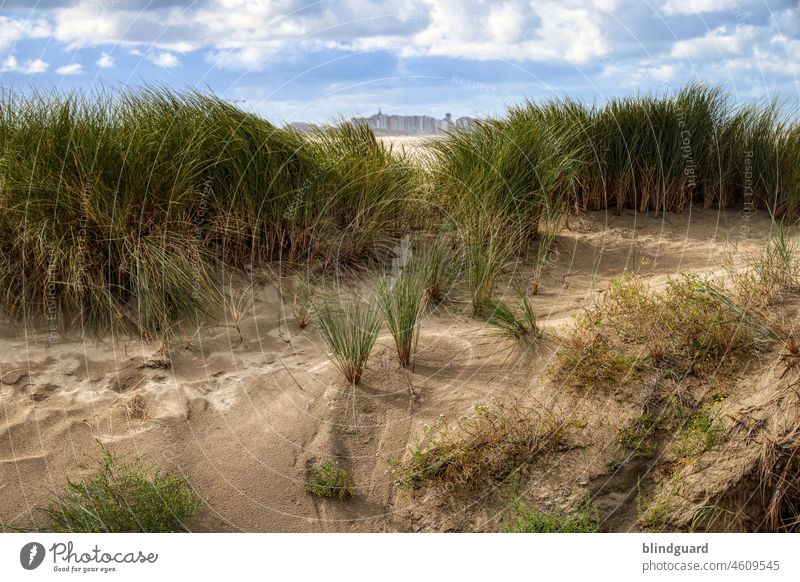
{"x": 403, "y": 303}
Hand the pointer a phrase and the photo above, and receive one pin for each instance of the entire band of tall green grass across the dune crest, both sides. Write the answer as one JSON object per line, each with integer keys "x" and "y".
{"x": 120, "y": 209}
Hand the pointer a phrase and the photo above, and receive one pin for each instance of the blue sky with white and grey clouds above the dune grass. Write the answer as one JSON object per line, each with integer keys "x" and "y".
{"x": 294, "y": 60}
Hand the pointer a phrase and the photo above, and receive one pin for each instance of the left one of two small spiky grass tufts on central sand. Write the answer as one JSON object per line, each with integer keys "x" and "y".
{"x": 350, "y": 330}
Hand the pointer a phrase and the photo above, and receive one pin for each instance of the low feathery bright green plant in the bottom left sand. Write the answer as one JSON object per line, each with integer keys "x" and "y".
{"x": 123, "y": 496}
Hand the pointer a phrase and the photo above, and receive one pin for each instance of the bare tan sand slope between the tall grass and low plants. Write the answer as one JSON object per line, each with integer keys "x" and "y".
{"x": 245, "y": 420}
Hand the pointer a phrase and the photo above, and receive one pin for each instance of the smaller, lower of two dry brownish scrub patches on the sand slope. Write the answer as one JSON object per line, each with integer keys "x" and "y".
{"x": 493, "y": 442}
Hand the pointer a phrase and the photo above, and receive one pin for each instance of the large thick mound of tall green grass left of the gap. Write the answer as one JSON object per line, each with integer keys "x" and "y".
{"x": 118, "y": 209}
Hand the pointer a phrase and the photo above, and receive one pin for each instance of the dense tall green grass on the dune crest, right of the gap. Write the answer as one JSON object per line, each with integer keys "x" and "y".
{"x": 649, "y": 152}
